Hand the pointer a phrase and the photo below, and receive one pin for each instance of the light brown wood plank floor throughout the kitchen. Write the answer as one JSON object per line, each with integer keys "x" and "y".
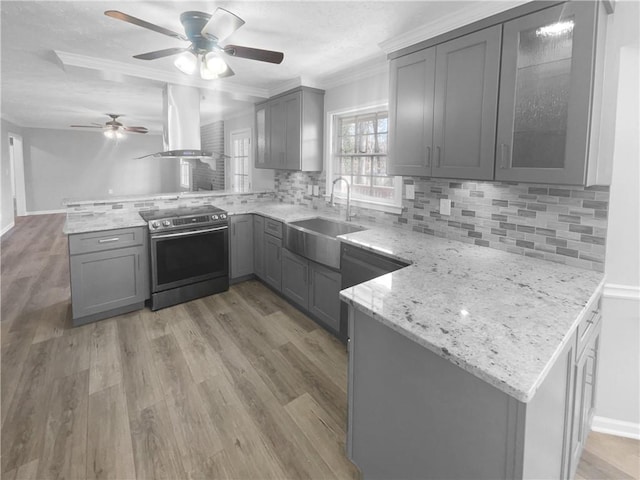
{"x": 237, "y": 385}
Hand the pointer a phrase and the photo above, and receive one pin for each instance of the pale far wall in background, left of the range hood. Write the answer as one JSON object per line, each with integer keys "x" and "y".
{"x": 77, "y": 164}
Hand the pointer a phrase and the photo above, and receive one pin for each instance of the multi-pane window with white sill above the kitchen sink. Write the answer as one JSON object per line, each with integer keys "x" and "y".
{"x": 359, "y": 155}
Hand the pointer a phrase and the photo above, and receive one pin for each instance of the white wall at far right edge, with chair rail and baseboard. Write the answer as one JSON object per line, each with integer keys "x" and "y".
{"x": 618, "y": 399}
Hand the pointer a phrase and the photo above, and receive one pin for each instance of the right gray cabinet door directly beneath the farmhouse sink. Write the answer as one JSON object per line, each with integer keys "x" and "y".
{"x": 324, "y": 295}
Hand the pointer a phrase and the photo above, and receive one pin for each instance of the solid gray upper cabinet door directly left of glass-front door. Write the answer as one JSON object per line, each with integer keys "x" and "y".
{"x": 465, "y": 105}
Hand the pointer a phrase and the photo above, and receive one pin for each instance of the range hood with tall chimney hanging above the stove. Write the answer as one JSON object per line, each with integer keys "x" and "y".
{"x": 181, "y": 133}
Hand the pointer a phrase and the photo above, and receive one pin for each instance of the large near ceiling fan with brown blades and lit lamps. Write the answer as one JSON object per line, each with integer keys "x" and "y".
{"x": 205, "y": 32}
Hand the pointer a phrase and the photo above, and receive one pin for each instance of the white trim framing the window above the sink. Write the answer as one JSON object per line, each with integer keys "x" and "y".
{"x": 396, "y": 206}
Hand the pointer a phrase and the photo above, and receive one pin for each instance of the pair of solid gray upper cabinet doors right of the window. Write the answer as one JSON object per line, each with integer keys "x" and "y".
{"x": 443, "y": 108}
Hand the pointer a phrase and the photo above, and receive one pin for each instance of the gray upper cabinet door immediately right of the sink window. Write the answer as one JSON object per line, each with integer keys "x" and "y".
{"x": 410, "y": 113}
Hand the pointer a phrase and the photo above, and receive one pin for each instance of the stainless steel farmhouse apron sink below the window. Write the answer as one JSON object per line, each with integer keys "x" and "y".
{"x": 316, "y": 239}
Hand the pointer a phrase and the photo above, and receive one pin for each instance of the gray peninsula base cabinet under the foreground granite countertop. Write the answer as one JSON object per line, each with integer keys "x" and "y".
{"x": 414, "y": 414}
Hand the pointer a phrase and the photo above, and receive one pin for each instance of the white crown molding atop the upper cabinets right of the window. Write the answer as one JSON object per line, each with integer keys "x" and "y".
{"x": 445, "y": 24}
